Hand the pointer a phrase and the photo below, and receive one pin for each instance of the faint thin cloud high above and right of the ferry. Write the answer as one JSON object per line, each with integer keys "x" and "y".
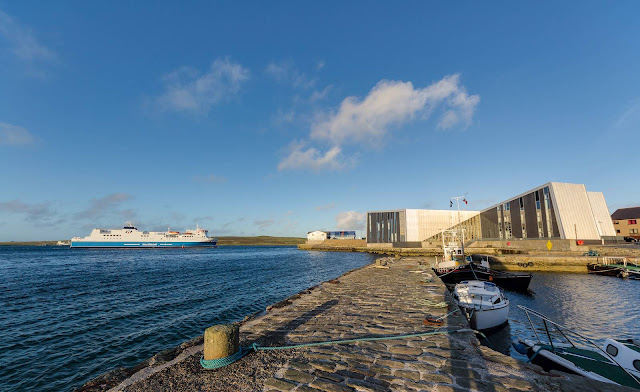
{"x": 188, "y": 90}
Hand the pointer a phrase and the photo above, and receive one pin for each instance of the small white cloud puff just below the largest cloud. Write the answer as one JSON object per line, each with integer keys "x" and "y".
{"x": 311, "y": 158}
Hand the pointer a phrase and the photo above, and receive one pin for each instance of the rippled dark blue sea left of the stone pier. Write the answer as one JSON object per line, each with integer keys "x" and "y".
{"x": 69, "y": 315}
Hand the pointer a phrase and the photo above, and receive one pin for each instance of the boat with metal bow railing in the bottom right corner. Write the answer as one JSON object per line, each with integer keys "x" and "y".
{"x": 616, "y": 361}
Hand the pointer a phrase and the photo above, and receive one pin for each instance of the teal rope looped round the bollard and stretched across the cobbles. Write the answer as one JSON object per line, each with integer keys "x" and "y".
{"x": 219, "y": 363}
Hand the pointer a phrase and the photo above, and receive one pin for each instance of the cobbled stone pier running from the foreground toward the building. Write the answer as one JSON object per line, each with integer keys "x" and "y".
{"x": 374, "y": 301}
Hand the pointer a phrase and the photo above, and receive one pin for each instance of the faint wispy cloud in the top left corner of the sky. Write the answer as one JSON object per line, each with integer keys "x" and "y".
{"x": 23, "y": 44}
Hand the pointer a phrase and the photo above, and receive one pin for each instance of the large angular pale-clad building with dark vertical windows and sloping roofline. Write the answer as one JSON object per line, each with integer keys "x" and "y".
{"x": 551, "y": 211}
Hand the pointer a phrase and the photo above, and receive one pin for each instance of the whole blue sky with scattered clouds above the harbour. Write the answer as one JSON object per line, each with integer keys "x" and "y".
{"x": 279, "y": 118}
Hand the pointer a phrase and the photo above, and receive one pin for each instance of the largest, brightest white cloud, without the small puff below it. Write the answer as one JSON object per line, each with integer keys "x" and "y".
{"x": 393, "y": 103}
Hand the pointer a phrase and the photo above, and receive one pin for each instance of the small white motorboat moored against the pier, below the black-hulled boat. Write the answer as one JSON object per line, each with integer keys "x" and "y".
{"x": 484, "y": 305}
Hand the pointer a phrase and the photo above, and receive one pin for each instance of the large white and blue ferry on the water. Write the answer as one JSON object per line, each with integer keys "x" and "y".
{"x": 130, "y": 237}
